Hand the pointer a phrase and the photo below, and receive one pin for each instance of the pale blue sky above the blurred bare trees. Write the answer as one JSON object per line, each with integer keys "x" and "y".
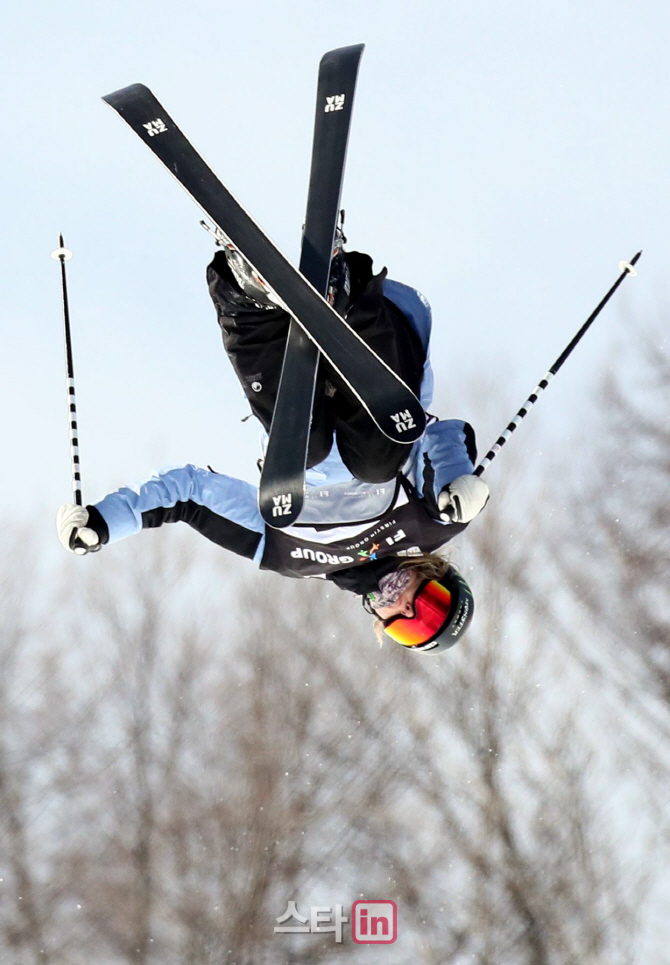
{"x": 504, "y": 158}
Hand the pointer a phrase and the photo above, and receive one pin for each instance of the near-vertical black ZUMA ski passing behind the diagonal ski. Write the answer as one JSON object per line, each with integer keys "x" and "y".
{"x": 282, "y": 483}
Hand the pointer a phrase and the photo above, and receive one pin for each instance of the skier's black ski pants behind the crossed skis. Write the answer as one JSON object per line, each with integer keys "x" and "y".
{"x": 255, "y": 340}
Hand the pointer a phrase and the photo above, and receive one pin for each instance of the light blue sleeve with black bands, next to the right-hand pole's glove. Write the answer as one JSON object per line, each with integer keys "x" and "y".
{"x": 445, "y": 451}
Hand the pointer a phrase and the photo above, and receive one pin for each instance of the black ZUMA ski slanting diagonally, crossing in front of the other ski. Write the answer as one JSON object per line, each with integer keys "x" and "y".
{"x": 391, "y": 404}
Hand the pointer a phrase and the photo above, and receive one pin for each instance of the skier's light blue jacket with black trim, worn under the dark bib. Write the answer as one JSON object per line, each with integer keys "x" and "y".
{"x": 225, "y": 509}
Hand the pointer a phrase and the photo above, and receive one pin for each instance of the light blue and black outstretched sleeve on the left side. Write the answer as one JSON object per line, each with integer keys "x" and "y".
{"x": 222, "y": 508}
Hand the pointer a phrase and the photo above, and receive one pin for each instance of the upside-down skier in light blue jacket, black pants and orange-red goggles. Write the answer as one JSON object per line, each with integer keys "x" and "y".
{"x": 375, "y": 511}
